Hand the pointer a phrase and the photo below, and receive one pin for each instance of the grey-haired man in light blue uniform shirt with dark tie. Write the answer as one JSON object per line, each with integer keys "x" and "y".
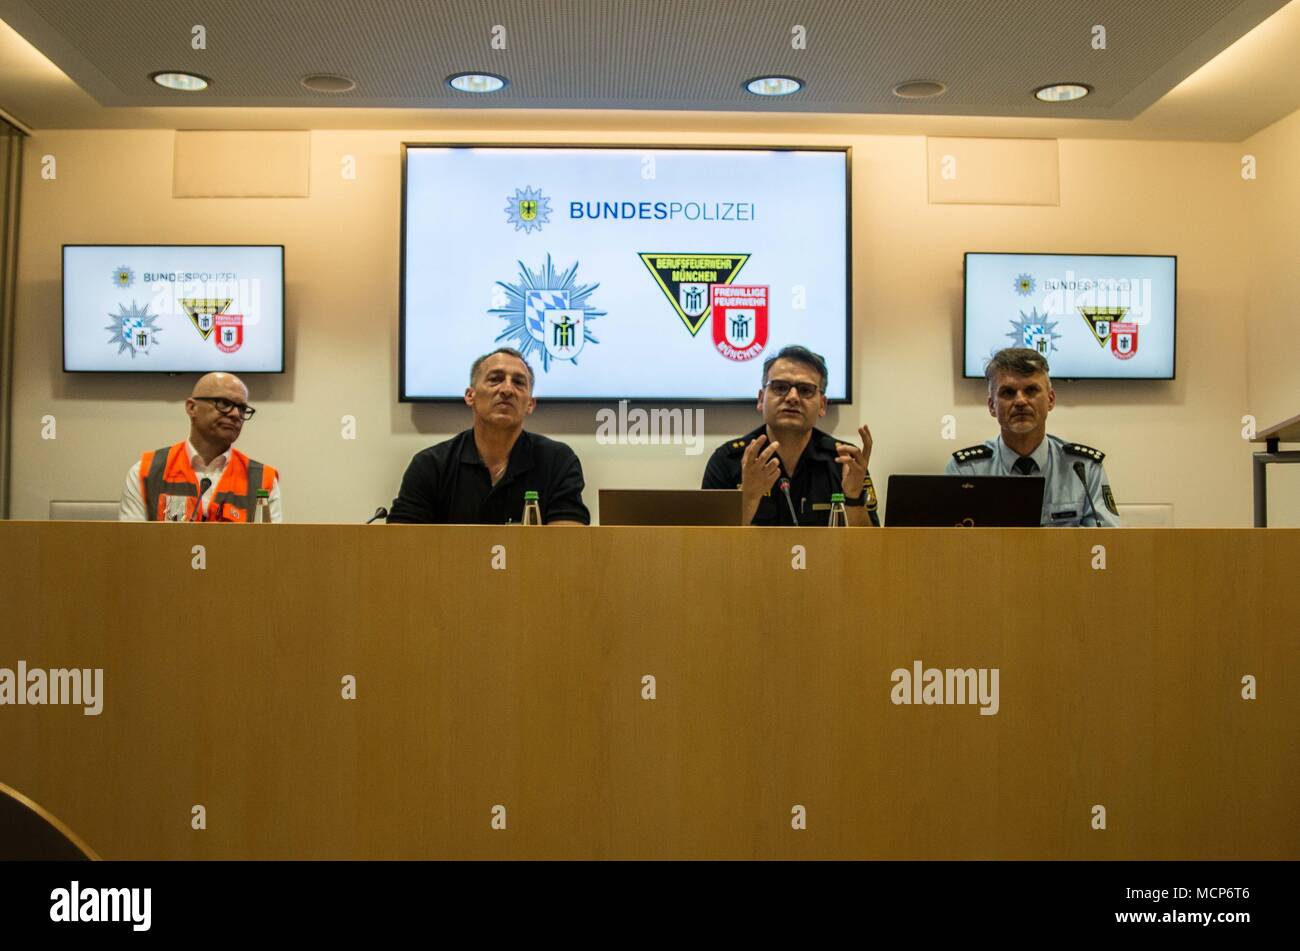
{"x": 1020, "y": 397}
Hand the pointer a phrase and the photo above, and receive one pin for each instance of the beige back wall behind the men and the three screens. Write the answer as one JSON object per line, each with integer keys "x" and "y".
{"x": 1175, "y": 442}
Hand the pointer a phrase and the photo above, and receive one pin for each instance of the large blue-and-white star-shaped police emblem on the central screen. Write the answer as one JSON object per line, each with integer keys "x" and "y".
{"x": 548, "y": 314}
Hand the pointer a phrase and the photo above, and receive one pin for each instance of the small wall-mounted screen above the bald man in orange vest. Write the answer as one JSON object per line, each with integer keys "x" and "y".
{"x": 175, "y": 309}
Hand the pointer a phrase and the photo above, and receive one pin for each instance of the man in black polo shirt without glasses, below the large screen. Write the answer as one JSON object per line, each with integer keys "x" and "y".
{"x": 479, "y": 477}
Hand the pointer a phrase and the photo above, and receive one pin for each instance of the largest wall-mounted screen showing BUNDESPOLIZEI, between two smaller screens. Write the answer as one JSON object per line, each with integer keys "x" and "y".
{"x": 623, "y": 273}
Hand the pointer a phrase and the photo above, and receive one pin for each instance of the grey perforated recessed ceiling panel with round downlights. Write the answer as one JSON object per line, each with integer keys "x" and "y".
{"x": 642, "y": 54}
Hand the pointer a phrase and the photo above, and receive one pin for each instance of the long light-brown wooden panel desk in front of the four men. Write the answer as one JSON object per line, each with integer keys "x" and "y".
{"x": 331, "y": 692}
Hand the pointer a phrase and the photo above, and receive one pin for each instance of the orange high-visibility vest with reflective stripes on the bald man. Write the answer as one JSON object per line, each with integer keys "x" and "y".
{"x": 167, "y": 477}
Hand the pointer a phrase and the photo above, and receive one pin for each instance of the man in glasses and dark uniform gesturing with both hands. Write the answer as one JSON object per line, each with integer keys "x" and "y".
{"x": 786, "y": 468}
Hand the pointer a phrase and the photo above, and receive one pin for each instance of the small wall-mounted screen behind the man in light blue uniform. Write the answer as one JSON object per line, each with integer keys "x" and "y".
{"x": 1093, "y": 316}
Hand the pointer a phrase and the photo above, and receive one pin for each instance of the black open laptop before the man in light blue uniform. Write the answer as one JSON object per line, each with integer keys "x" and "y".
{"x": 965, "y": 501}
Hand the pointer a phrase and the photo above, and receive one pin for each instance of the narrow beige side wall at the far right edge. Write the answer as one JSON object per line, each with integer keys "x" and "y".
{"x": 1273, "y": 297}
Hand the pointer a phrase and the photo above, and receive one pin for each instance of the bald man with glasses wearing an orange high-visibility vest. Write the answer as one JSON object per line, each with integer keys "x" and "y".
{"x": 203, "y": 479}
